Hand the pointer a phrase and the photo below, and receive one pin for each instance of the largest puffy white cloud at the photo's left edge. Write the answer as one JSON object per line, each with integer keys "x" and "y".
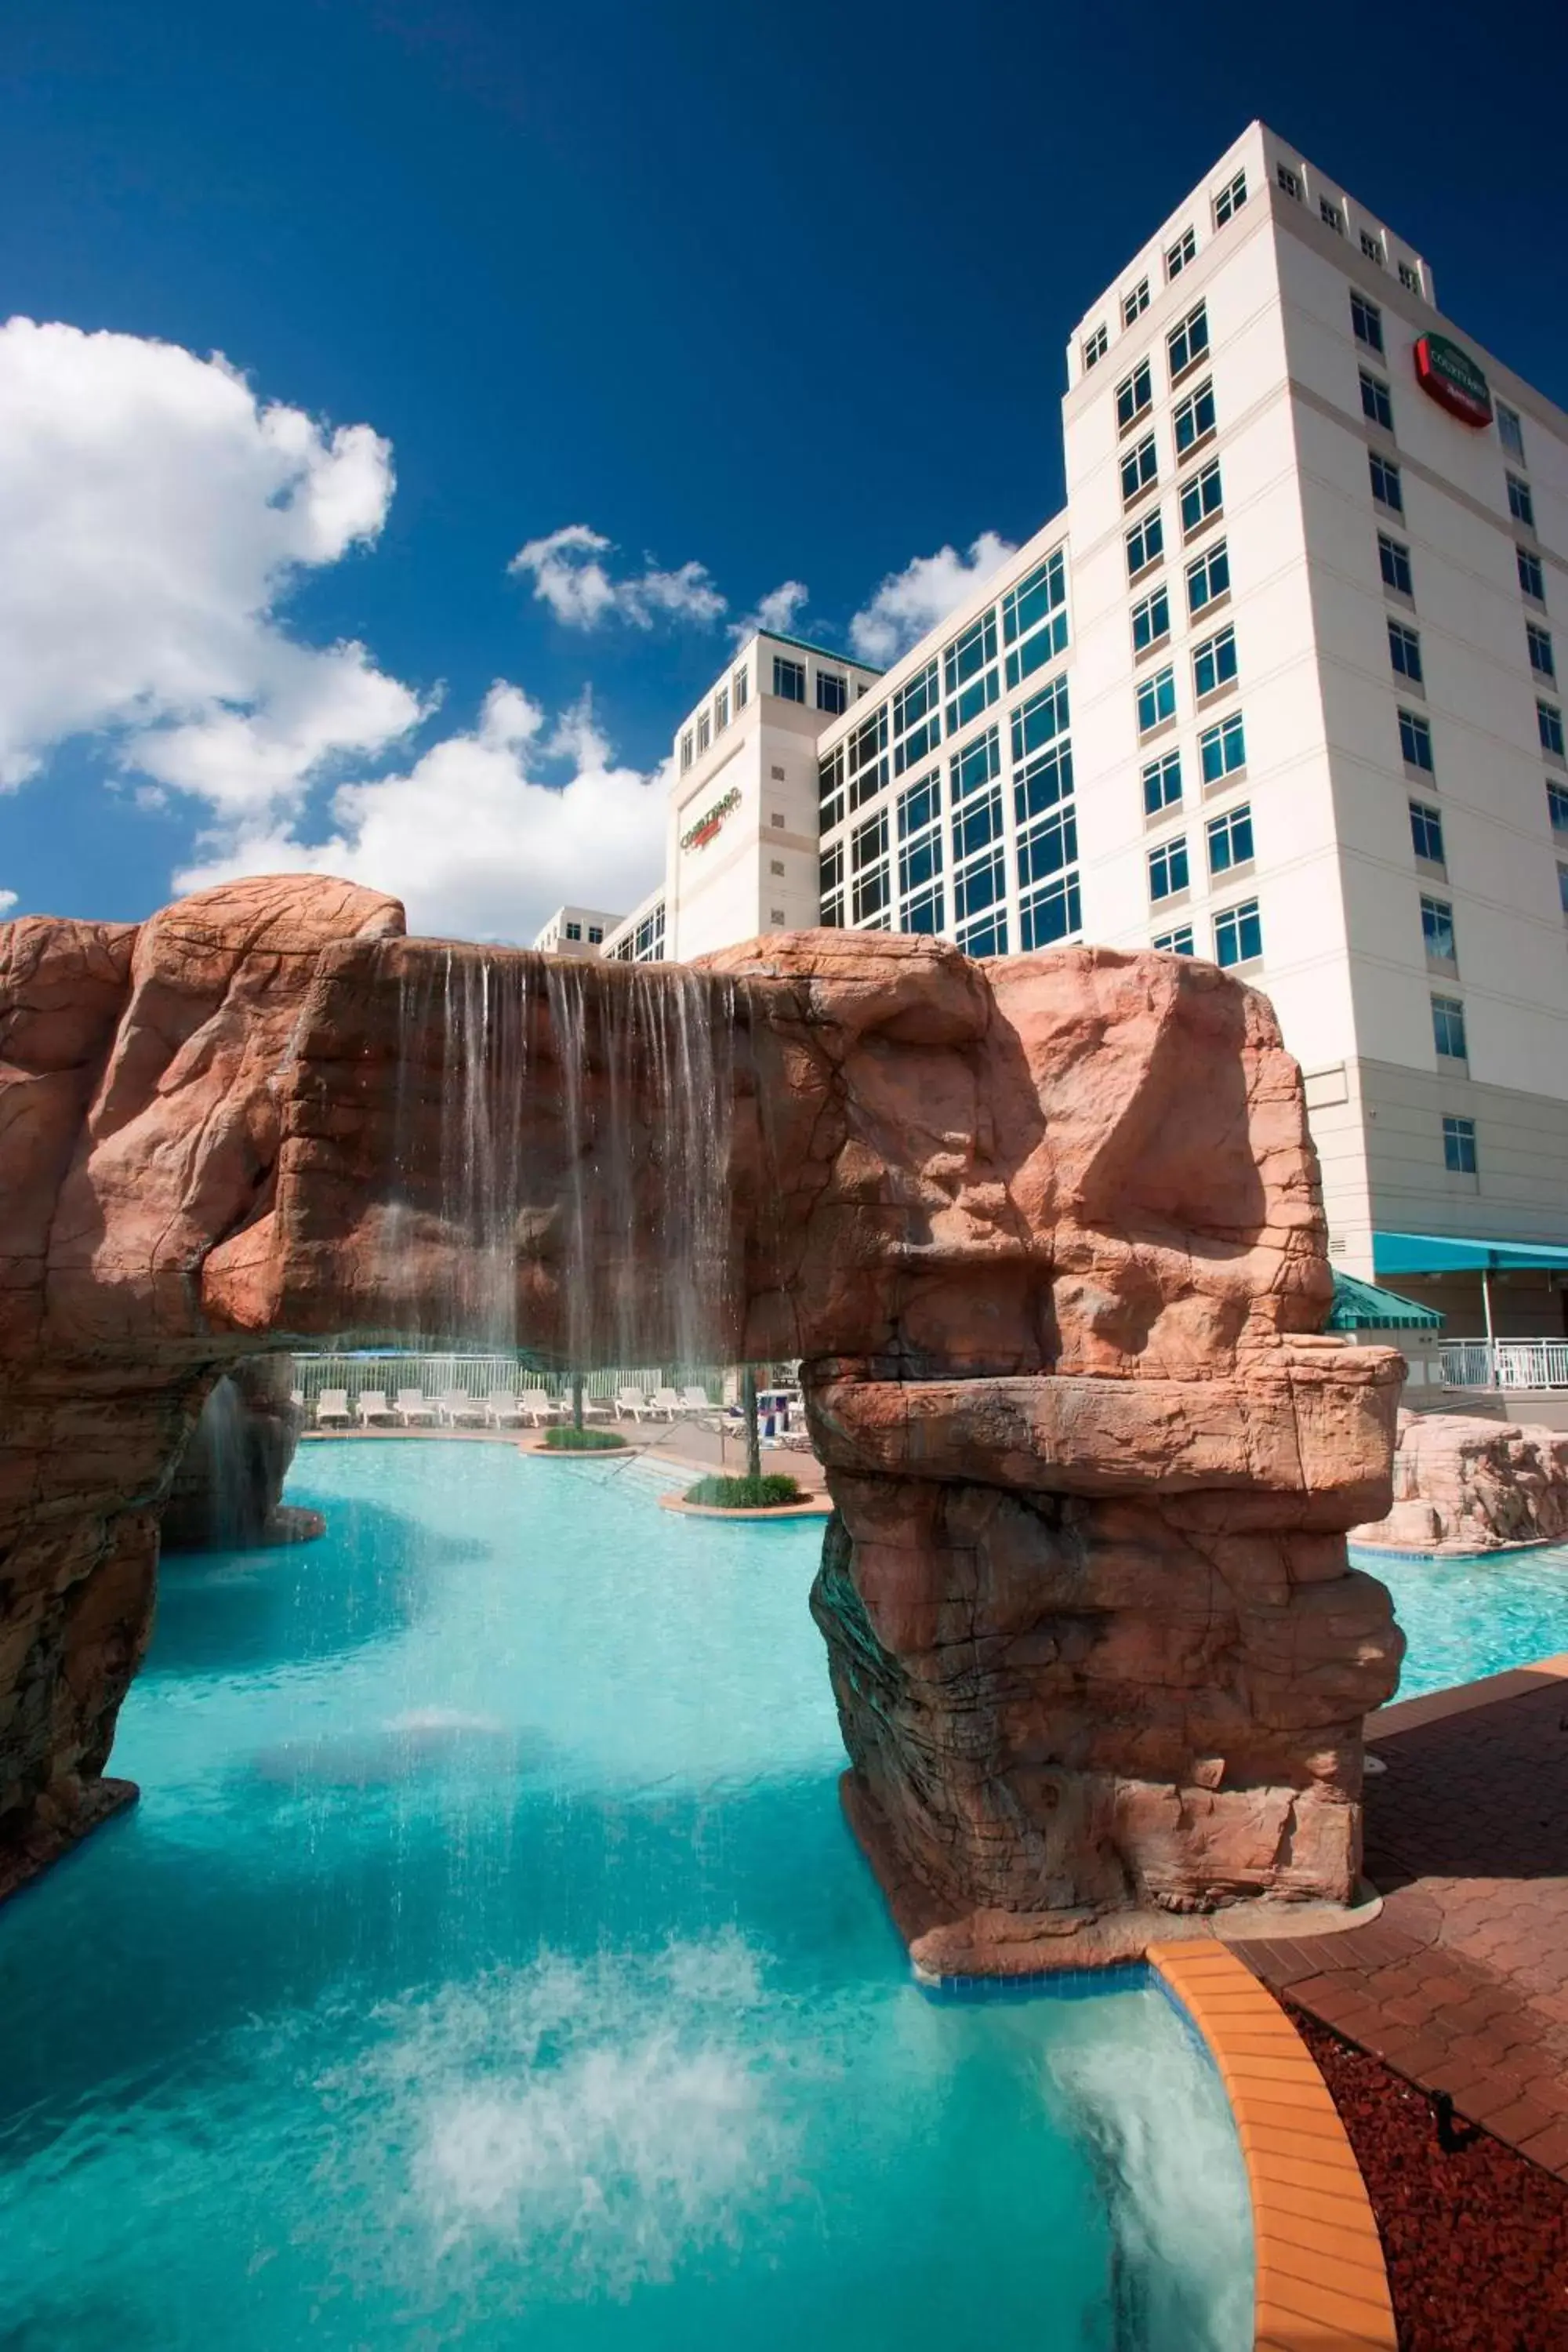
{"x": 154, "y": 519}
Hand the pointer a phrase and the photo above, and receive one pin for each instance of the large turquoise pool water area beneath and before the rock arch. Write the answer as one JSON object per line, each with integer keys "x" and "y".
{"x": 488, "y": 1965}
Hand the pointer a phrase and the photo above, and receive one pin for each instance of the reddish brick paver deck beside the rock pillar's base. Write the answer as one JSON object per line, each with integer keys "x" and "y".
{"x": 1463, "y": 1982}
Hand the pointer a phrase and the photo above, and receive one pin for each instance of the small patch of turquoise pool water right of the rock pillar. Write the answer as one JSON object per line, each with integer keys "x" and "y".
{"x": 1475, "y": 1617}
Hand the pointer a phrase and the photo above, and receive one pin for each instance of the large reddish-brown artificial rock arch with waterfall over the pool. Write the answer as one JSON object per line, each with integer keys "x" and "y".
{"x": 1043, "y": 1234}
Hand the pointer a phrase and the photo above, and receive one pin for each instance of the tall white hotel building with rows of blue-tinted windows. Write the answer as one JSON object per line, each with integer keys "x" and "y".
{"x": 1278, "y": 688}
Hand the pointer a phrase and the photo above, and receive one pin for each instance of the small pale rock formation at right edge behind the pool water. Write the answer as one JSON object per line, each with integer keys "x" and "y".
{"x": 1468, "y": 1485}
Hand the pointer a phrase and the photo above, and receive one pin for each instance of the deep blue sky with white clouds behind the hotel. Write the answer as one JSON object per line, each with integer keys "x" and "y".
{"x": 777, "y": 295}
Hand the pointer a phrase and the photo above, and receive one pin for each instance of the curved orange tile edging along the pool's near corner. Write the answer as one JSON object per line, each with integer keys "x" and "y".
{"x": 1322, "y": 2283}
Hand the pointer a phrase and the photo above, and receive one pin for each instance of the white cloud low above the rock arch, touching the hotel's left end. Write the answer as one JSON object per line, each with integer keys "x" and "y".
{"x": 471, "y": 838}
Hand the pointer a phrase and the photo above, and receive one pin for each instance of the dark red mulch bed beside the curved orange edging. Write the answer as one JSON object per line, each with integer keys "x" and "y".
{"x": 1475, "y": 2240}
